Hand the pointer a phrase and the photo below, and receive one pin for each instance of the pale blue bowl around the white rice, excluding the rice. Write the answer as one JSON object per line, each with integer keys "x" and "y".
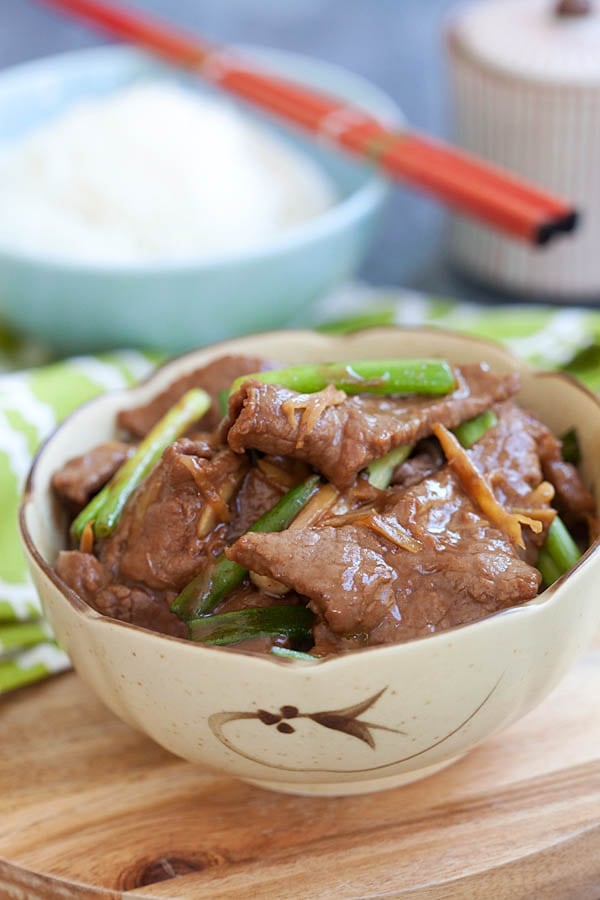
{"x": 174, "y": 306}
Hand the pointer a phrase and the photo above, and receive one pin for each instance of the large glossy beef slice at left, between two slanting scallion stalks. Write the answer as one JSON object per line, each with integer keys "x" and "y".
{"x": 184, "y": 513}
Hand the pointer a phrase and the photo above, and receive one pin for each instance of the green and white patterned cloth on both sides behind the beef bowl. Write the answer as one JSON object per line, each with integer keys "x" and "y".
{"x": 33, "y": 400}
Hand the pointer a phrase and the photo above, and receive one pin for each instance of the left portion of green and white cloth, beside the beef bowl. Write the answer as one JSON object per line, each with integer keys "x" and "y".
{"x": 32, "y": 402}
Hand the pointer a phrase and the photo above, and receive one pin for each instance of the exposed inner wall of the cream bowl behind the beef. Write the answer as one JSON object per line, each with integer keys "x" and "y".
{"x": 559, "y": 401}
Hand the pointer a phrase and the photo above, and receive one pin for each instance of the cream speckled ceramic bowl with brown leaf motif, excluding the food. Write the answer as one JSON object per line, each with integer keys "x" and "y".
{"x": 365, "y": 721}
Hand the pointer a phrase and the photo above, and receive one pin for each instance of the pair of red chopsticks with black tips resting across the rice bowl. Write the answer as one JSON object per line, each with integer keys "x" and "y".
{"x": 463, "y": 182}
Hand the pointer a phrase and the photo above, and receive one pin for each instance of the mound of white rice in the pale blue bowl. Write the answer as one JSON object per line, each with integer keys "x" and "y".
{"x": 154, "y": 172}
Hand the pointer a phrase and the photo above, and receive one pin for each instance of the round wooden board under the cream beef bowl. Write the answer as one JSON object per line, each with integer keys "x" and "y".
{"x": 89, "y": 808}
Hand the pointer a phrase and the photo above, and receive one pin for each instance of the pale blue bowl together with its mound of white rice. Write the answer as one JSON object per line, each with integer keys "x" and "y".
{"x": 143, "y": 208}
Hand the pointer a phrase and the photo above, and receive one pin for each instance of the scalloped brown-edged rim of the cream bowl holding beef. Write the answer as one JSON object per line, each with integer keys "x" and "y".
{"x": 145, "y": 388}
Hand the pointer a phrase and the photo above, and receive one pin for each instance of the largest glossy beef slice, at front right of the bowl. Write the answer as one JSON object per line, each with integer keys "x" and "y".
{"x": 370, "y": 591}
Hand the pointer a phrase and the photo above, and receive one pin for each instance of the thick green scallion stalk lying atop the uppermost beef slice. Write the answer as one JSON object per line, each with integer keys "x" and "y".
{"x": 396, "y": 376}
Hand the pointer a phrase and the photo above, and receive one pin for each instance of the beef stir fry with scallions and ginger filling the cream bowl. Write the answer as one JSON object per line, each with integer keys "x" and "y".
{"x": 322, "y": 508}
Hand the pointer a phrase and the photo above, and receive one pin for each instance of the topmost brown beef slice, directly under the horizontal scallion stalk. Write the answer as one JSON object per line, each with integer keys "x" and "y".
{"x": 347, "y": 436}
